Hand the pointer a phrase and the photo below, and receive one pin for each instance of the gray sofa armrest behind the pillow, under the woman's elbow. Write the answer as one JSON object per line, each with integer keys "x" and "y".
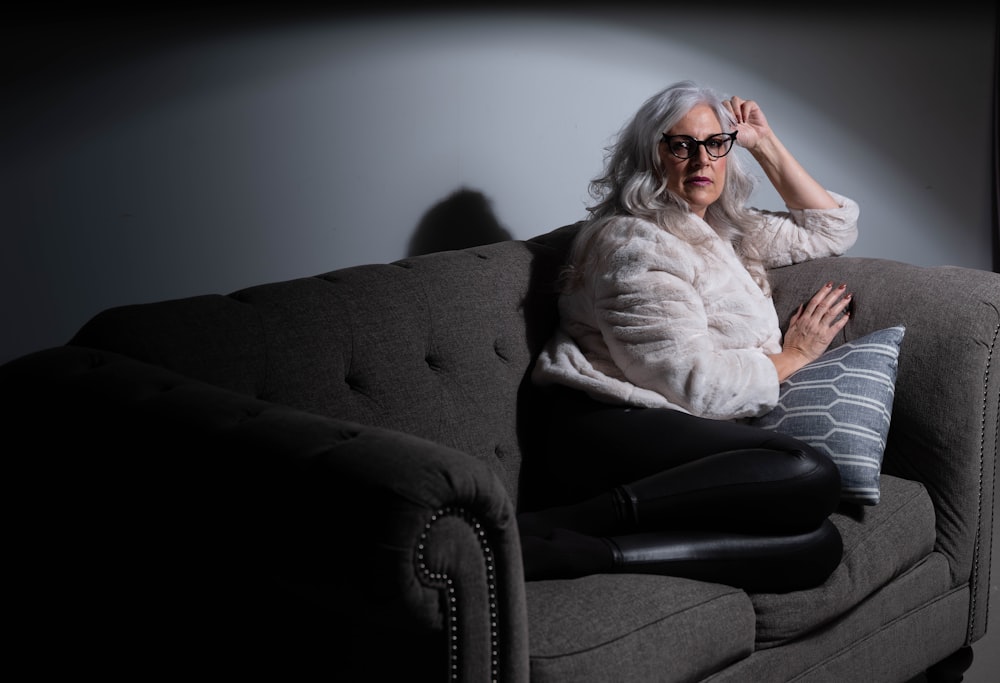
{"x": 945, "y": 411}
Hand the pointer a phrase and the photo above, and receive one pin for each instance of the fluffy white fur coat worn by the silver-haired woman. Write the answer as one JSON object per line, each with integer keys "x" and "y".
{"x": 661, "y": 323}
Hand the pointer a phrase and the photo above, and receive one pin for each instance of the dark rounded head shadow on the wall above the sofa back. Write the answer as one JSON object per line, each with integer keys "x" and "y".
{"x": 463, "y": 219}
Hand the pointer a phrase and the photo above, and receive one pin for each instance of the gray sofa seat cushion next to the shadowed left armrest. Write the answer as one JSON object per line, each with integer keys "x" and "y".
{"x": 635, "y": 627}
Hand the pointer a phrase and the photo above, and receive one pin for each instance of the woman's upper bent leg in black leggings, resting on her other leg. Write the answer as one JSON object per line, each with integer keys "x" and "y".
{"x": 651, "y": 469}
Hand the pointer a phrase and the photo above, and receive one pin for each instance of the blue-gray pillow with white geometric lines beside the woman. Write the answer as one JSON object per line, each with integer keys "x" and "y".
{"x": 841, "y": 404}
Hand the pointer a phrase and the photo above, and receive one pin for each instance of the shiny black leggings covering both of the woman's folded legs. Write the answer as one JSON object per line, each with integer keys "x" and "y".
{"x": 694, "y": 492}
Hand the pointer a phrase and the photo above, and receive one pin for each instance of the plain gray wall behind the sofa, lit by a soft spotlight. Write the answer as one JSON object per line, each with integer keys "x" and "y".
{"x": 152, "y": 157}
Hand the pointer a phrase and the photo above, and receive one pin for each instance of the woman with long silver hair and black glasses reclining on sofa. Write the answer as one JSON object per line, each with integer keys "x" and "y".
{"x": 668, "y": 338}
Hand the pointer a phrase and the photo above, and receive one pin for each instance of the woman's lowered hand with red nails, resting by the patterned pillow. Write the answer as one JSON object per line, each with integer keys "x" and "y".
{"x": 812, "y": 329}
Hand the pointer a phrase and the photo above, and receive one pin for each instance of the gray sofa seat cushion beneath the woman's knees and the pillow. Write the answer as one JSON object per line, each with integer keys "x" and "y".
{"x": 881, "y": 542}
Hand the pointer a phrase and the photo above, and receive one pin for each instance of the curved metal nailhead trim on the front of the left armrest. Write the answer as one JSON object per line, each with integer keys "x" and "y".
{"x": 442, "y": 580}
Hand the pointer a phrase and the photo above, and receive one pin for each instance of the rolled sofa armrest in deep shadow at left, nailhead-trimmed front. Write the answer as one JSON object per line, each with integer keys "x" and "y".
{"x": 271, "y": 534}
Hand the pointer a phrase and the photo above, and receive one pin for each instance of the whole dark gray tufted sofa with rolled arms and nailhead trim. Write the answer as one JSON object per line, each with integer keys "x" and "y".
{"x": 320, "y": 477}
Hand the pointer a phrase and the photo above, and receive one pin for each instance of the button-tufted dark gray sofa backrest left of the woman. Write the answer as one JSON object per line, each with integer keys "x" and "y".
{"x": 439, "y": 345}
